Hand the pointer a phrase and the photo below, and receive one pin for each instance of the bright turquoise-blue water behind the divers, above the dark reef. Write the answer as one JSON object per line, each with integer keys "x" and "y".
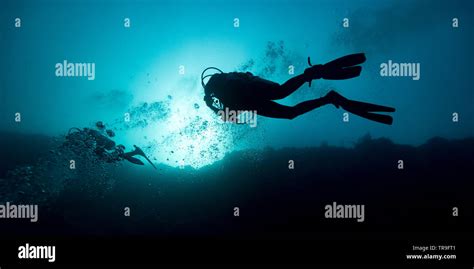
{"x": 141, "y": 64}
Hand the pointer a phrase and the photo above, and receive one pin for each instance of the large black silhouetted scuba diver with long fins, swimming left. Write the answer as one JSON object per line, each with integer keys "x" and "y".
{"x": 245, "y": 92}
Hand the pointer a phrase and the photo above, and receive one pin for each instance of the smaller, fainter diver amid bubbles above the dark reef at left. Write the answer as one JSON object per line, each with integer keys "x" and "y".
{"x": 105, "y": 147}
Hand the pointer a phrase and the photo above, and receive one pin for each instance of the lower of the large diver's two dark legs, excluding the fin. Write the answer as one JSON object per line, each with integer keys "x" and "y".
{"x": 274, "y": 110}
